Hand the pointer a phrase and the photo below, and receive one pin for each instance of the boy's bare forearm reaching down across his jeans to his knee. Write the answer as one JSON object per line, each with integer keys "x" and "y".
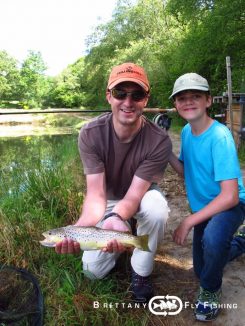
{"x": 227, "y": 199}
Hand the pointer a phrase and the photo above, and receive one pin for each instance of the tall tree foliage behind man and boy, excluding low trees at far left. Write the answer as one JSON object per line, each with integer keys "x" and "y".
{"x": 169, "y": 38}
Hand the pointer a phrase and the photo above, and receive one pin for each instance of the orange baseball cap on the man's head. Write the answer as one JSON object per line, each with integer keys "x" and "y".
{"x": 128, "y": 72}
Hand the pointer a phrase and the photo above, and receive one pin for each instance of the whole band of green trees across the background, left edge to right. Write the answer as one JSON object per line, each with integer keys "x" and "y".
{"x": 168, "y": 38}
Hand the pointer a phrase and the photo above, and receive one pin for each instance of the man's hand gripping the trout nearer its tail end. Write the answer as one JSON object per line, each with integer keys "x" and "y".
{"x": 116, "y": 224}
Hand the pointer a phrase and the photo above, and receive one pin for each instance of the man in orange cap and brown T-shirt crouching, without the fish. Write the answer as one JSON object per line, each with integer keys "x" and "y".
{"x": 124, "y": 156}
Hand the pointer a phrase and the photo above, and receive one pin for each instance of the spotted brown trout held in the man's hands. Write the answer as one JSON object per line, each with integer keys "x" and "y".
{"x": 93, "y": 238}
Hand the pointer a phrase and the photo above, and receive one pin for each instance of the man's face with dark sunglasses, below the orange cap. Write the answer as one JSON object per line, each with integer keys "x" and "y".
{"x": 127, "y": 108}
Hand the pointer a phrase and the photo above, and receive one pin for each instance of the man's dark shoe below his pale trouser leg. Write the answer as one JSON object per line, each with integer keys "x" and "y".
{"x": 141, "y": 287}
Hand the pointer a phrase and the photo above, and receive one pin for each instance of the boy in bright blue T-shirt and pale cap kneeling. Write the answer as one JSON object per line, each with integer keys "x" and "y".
{"x": 208, "y": 161}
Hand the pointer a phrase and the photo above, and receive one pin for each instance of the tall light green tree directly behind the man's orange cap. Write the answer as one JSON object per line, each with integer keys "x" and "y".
{"x": 138, "y": 33}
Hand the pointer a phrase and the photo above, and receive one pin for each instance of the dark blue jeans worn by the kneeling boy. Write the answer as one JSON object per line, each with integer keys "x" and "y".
{"x": 214, "y": 246}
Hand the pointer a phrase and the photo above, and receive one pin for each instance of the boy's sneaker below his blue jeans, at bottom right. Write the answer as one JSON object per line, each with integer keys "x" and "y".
{"x": 207, "y": 305}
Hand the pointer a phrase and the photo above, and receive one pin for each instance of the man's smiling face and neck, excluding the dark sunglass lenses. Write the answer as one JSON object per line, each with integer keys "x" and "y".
{"x": 127, "y": 111}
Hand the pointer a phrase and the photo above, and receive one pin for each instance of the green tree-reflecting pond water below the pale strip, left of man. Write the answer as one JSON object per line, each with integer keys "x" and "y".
{"x": 21, "y": 155}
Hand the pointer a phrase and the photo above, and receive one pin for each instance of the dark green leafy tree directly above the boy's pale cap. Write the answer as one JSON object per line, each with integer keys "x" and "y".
{"x": 214, "y": 29}
